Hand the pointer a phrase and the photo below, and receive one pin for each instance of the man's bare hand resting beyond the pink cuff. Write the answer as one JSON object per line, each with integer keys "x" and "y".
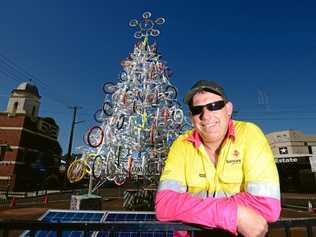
{"x": 249, "y": 223}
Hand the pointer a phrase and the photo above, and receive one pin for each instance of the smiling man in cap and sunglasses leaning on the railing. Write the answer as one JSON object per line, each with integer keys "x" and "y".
{"x": 221, "y": 174}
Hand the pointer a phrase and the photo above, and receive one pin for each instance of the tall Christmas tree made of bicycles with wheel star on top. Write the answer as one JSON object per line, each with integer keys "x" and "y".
{"x": 139, "y": 119}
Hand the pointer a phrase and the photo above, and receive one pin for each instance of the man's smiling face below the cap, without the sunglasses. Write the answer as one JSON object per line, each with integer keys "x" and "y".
{"x": 211, "y": 125}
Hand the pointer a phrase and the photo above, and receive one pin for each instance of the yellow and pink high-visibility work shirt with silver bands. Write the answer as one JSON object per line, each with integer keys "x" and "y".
{"x": 245, "y": 174}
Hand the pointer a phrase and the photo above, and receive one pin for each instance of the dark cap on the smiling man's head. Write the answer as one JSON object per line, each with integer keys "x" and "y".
{"x": 210, "y": 86}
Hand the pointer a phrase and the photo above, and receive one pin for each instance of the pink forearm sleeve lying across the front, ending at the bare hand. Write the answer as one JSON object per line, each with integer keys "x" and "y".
{"x": 210, "y": 212}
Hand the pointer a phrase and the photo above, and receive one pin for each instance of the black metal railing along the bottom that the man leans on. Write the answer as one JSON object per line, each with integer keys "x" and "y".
{"x": 112, "y": 228}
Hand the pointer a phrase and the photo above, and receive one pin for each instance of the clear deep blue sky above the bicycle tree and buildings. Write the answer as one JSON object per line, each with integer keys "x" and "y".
{"x": 262, "y": 52}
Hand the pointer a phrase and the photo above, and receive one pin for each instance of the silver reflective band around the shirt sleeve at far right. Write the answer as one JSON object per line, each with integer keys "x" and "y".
{"x": 265, "y": 189}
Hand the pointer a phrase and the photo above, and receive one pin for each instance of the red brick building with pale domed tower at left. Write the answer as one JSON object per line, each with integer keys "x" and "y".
{"x": 29, "y": 150}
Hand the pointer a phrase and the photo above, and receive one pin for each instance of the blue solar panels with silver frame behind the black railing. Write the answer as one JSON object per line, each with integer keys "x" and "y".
{"x": 73, "y": 216}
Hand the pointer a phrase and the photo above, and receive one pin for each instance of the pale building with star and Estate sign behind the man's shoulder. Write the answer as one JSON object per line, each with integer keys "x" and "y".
{"x": 295, "y": 156}
